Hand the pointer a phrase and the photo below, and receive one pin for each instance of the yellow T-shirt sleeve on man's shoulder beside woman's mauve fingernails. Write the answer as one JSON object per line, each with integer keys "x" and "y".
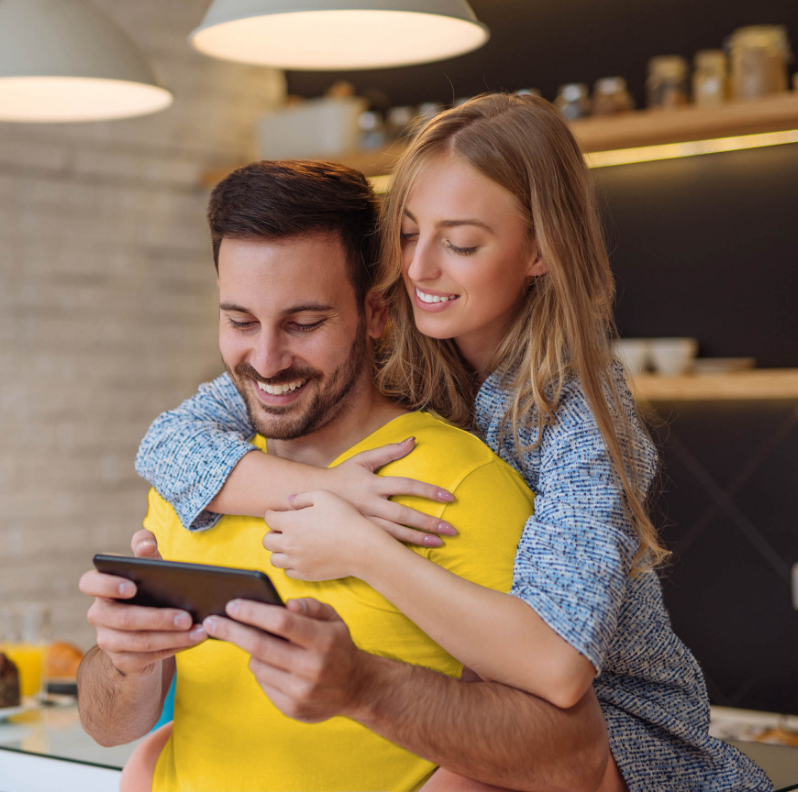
{"x": 491, "y": 507}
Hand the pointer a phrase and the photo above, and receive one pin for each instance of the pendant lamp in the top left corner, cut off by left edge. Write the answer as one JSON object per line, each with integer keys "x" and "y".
{"x": 62, "y": 61}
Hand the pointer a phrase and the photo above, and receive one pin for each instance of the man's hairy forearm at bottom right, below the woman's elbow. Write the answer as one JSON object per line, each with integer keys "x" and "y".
{"x": 484, "y": 730}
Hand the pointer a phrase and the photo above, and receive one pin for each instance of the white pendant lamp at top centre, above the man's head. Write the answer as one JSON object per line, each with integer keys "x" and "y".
{"x": 322, "y": 35}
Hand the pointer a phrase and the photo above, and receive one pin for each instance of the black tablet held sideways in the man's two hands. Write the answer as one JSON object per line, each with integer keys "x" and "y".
{"x": 201, "y": 589}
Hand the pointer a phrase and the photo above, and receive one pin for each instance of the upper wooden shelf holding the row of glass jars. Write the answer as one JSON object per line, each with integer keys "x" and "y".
{"x": 640, "y": 128}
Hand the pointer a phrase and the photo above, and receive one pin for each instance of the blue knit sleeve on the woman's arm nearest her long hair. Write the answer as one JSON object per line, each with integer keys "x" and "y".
{"x": 575, "y": 555}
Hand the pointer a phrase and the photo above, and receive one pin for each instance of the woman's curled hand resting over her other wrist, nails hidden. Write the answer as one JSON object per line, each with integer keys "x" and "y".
{"x": 325, "y": 538}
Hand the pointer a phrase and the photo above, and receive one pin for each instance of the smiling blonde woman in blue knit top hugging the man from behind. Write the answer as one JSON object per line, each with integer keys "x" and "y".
{"x": 500, "y": 297}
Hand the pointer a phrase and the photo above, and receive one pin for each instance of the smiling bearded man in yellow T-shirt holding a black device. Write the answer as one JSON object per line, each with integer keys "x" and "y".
{"x": 325, "y": 708}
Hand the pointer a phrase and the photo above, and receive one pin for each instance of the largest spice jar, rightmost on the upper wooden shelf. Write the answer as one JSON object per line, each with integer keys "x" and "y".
{"x": 759, "y": 57}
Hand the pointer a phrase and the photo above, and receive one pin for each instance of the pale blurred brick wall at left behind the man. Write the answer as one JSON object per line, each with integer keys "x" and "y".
{"x": 107, "y": 302}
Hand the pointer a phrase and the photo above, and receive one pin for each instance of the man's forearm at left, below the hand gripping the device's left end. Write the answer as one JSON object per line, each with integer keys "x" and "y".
{"x": 116, "y": 708}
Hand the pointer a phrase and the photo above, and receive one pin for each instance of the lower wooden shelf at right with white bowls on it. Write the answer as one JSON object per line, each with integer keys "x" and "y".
{"x": 756, "y": 384}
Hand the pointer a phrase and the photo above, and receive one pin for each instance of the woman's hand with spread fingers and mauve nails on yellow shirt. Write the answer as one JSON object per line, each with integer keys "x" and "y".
{"x": 356, "y": 481}
